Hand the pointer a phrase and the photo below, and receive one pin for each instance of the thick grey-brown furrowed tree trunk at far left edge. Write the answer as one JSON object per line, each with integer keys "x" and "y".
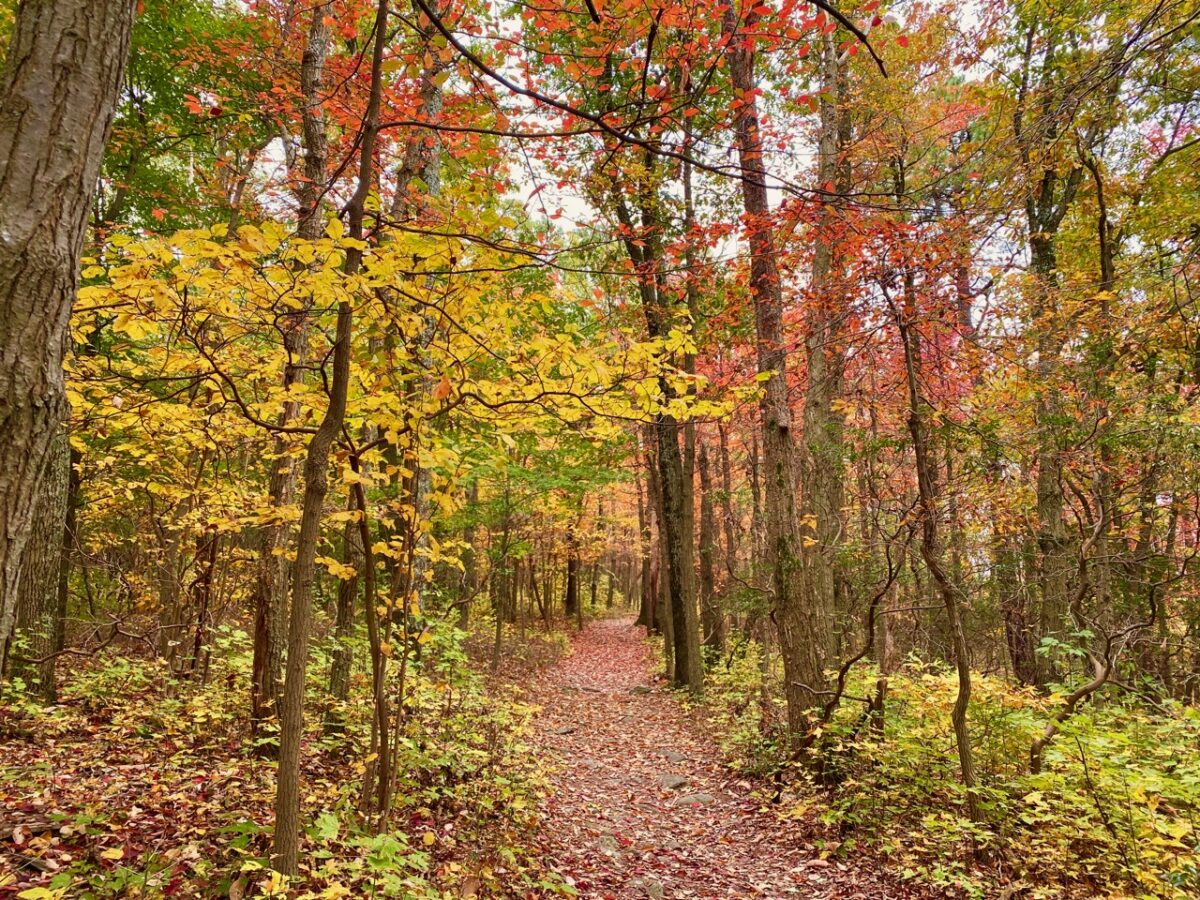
{"x": 58, "y": 93}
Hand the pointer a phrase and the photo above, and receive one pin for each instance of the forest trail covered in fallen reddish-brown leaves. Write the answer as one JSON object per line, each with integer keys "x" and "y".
{"x": 643, "y": 806}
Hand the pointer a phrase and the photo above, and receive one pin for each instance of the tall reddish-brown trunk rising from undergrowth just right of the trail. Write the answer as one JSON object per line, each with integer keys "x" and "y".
{"x": 803, "y": 628}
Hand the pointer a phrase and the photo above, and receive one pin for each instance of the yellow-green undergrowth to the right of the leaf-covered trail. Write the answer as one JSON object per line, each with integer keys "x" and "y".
{"x": 1114, "y": 814}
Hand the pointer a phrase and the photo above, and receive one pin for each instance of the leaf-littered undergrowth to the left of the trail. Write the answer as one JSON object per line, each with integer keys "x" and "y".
{"x": 147, "y": 783}
